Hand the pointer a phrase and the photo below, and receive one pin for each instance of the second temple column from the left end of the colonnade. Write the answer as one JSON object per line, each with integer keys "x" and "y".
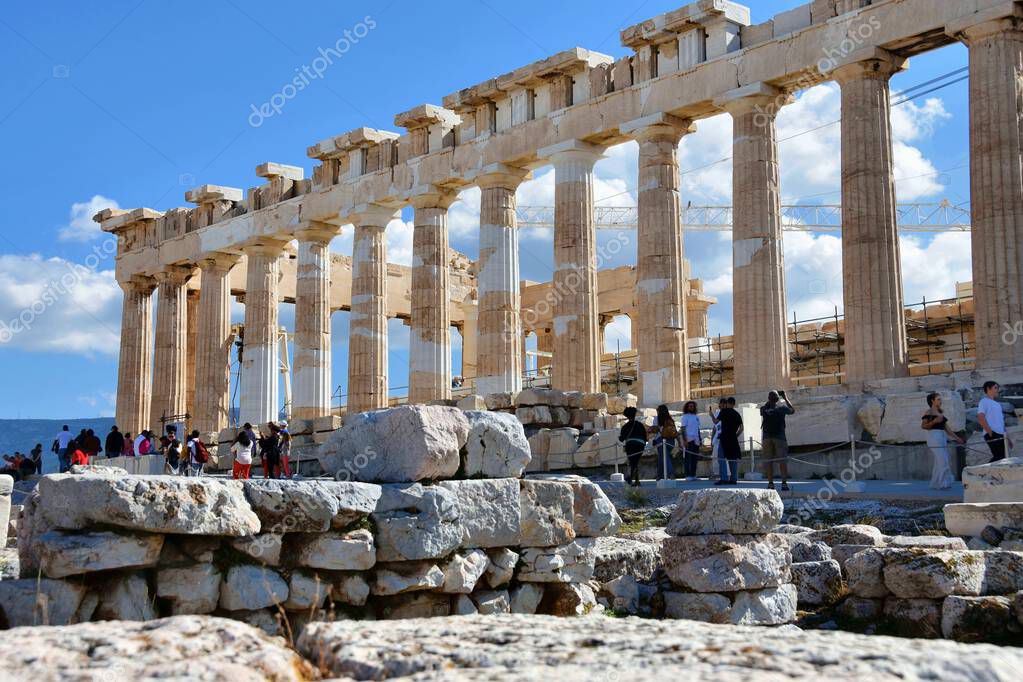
{"x": 170, "y": 362}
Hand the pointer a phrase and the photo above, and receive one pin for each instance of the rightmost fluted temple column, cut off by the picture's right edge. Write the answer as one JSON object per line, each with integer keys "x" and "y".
{"x": 997, "y": 186}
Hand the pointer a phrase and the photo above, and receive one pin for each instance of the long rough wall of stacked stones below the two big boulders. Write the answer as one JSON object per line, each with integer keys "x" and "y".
{"x": 101, "y": 544}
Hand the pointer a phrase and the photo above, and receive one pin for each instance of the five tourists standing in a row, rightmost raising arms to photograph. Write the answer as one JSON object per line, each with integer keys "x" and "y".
{"x": 668, "y": 438}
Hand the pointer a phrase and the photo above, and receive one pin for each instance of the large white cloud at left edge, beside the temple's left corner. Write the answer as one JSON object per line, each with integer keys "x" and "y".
{"x": 55, "y": 305}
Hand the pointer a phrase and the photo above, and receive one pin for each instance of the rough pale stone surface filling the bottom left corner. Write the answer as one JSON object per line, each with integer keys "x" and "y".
{"x": 186, "y": 648}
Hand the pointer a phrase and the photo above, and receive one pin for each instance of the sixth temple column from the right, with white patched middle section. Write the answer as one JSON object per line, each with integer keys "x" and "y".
{"x": 501, "y": 341}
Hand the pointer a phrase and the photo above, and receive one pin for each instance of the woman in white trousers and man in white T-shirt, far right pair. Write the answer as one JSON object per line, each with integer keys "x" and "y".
{"x": 992, "y": 418}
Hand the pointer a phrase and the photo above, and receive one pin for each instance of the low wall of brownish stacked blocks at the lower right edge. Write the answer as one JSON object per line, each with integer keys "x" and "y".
{"x": 936, "y": 593}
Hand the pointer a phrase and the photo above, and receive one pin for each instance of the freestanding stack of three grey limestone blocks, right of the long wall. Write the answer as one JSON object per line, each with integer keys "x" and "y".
{"x": 724, "y": 561}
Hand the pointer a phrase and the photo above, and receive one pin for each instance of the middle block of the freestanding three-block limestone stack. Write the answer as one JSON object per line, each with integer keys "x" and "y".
{"x": 727, "y": 563}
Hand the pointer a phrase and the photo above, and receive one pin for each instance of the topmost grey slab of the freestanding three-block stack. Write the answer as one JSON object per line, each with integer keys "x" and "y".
{"x": 717, "y": 512}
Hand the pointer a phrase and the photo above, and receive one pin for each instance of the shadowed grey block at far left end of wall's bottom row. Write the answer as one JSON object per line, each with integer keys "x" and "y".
{"x": 41, "y": 602}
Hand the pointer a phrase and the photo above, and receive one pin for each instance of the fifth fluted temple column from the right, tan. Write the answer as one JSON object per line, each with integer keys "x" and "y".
{"x": 577, "y": 335}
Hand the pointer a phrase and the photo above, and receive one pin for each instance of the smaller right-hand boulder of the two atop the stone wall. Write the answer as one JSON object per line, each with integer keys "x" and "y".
{"x": 497, "y": 446}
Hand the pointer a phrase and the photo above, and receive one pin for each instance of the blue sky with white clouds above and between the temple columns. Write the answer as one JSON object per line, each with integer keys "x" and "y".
{"x": 136, "y": 103}
